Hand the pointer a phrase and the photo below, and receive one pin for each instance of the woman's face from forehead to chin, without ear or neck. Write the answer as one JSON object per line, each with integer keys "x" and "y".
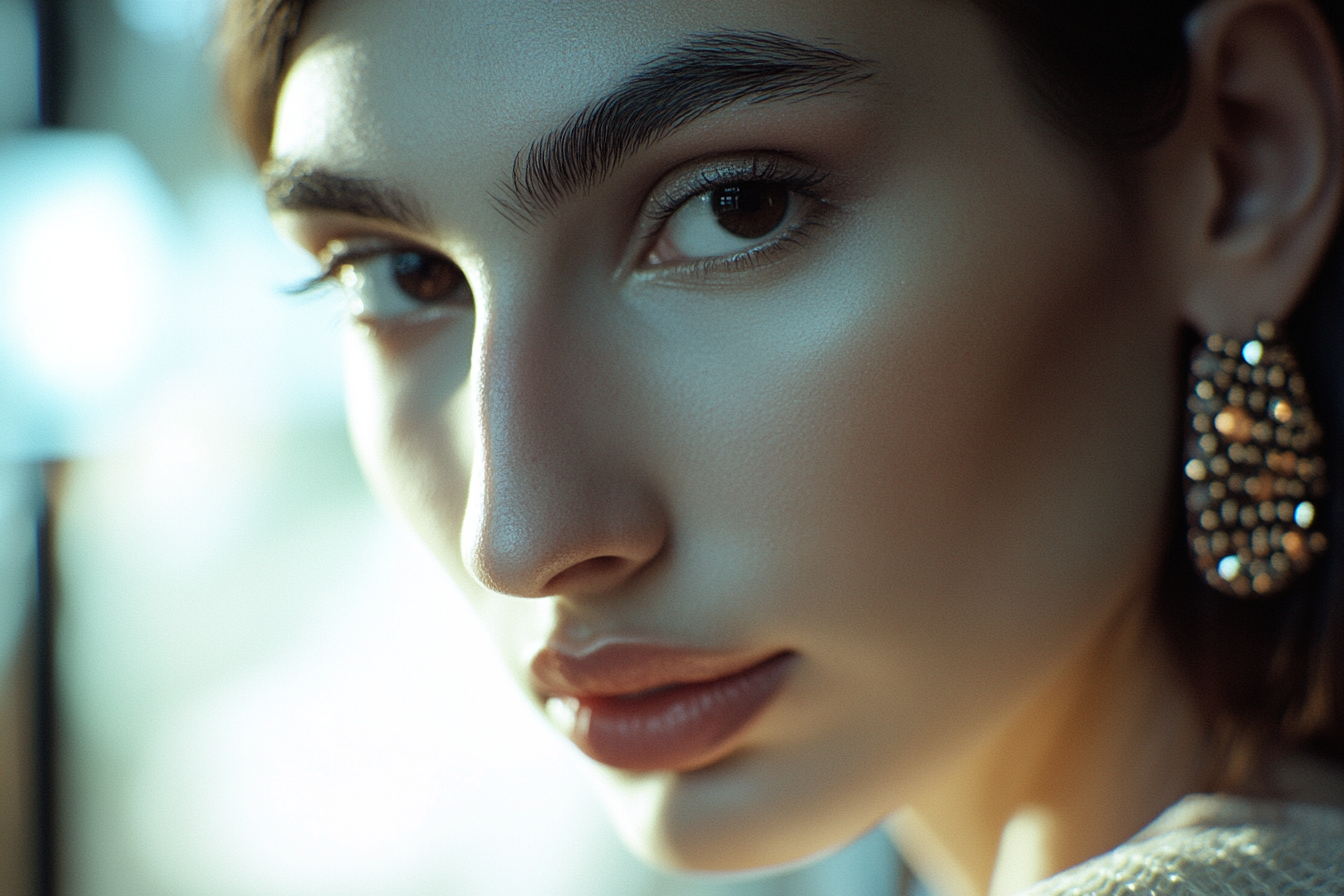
{"x": 812, "y": 365}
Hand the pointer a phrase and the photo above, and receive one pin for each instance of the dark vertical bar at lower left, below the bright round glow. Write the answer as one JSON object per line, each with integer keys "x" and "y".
{"x": 45, "y": 757}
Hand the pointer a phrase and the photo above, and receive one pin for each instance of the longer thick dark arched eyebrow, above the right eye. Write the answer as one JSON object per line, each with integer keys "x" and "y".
{"x": 701, "y": 77}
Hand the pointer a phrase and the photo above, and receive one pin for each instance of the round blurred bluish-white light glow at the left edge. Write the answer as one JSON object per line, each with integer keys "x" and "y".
{"x": 84, "y": 276}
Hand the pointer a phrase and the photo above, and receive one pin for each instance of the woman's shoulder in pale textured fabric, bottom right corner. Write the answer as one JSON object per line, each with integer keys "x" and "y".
{"x": 1220, "y": 847}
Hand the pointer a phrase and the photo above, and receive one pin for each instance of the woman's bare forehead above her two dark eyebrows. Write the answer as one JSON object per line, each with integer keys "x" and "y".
{"x": 407, "y": 75}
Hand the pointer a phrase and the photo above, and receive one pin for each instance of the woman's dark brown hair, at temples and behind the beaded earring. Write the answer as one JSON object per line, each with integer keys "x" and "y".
{"x": 1112, "y": 76}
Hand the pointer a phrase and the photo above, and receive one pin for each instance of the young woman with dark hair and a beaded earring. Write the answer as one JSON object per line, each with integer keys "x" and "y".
{"x": 847, "y": 412}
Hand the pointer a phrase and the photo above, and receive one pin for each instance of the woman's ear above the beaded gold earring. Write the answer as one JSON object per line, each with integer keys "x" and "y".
{"x": 1260, "y": 151}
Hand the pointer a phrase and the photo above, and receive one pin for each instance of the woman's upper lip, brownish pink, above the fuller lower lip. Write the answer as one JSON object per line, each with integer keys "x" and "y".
{"x": 628, "y": 668}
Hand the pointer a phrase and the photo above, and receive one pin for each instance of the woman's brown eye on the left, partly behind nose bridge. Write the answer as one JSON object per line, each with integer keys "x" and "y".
{"x": 397, "y": 287}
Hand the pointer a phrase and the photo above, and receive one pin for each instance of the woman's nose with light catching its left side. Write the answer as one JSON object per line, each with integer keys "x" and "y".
{"x": 556, "y": 503}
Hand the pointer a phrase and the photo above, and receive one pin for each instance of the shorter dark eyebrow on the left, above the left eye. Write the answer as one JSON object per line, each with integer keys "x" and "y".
{"x": 302, "y": 187}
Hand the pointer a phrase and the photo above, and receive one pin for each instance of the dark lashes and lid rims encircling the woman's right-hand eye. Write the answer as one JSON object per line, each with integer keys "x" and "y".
{"x": 771, "y": 171}
